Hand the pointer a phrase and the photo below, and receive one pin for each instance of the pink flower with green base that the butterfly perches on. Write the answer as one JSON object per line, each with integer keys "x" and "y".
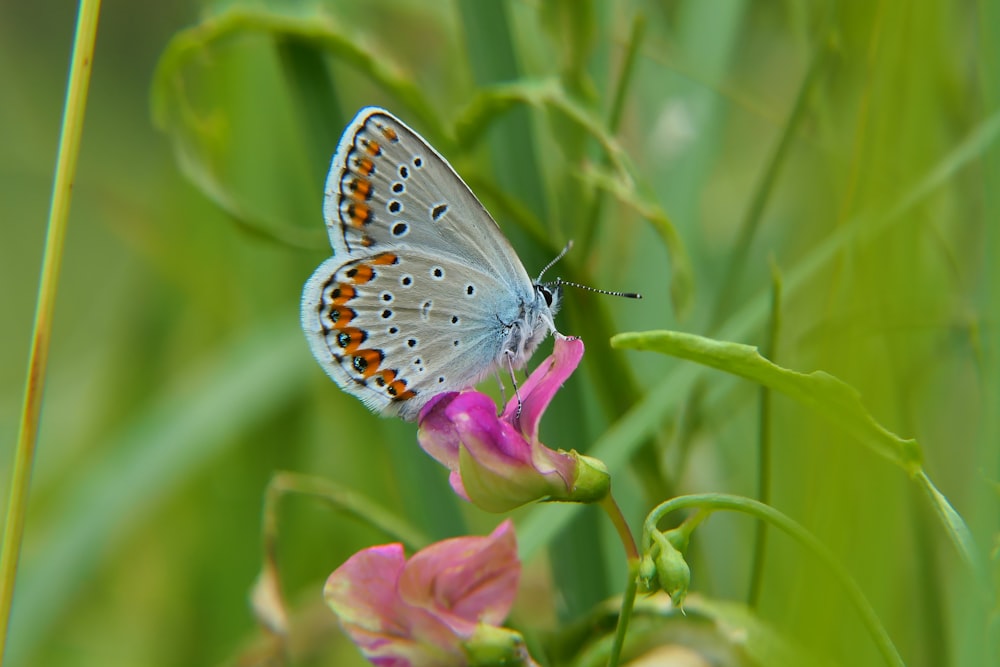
{"x": 498, "y": 463}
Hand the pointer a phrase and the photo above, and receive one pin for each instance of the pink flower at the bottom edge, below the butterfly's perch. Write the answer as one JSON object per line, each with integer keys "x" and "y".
{"x": 441, "y": 608}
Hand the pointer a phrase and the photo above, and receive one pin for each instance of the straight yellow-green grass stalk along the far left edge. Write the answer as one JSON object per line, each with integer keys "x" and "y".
{"x": 62, "y": 190}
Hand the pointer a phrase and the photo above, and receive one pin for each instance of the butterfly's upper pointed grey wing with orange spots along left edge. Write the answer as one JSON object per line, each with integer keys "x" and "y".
{"x": 388, "y": 188}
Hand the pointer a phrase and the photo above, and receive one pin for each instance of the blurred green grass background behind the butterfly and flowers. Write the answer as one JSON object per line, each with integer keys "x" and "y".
{"x": 850, "y": 147}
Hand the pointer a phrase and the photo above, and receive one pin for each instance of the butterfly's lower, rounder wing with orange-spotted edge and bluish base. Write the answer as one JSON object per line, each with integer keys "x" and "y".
{"x": 395, "y": 329}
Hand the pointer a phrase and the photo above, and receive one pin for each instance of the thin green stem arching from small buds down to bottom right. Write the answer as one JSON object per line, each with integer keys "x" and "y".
{"x": 711, "y": 502}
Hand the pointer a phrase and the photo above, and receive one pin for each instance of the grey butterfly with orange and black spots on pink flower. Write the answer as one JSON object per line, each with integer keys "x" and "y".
{"x": 423, "y": 294}
